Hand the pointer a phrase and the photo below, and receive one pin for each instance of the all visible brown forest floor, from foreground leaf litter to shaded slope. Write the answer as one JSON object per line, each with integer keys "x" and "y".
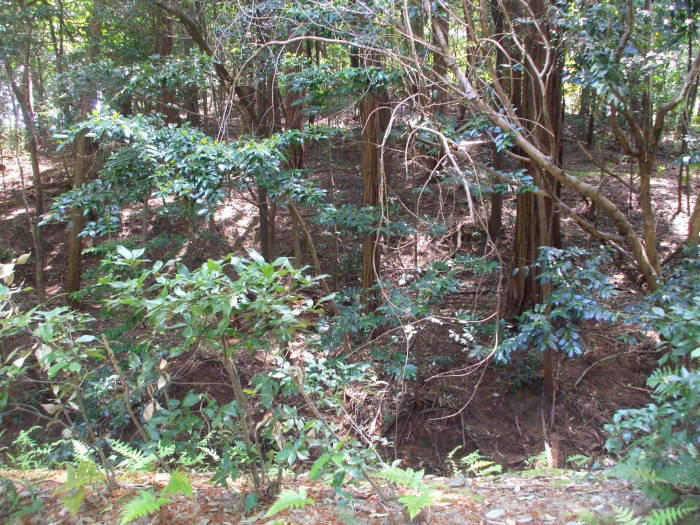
{"x": 498, "y": 410}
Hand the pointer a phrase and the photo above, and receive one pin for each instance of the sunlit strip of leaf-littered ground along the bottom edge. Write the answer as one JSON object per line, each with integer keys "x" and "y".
{"x": 545, "y": 496}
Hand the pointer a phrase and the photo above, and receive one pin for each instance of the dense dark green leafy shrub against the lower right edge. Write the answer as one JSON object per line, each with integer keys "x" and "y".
{"x": 660, "y": 441}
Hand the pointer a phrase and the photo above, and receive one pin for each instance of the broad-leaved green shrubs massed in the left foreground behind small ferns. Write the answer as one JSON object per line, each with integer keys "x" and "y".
{"x": 95, "y": 384}
